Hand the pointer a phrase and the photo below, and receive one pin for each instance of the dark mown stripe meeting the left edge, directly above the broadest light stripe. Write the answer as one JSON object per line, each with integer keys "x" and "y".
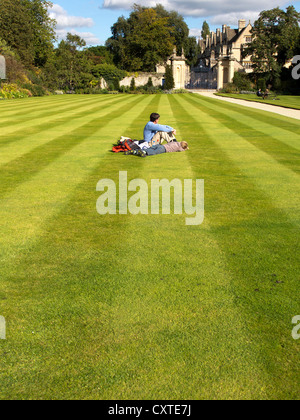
{"x": 22, "y": 169}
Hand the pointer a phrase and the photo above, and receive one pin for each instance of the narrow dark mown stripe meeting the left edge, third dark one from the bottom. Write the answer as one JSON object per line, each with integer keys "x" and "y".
{"x": 56, "y": 123}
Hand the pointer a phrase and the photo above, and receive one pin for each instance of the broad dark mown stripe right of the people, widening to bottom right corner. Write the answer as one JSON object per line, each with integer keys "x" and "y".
{"x": 259, "y": 243}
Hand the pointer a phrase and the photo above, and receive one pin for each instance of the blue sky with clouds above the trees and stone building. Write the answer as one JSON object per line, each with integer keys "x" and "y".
{"x": 92, "y": 19}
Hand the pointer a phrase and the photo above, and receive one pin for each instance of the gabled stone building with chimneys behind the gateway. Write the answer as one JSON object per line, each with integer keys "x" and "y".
{"x": 221, "y": 57}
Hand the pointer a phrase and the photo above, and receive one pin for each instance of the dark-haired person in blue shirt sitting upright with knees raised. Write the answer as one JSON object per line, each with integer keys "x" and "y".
{"x": 154, "y": 133}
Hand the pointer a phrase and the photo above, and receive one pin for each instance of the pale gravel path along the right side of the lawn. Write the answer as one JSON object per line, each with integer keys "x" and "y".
{"x": 287, "y": 112}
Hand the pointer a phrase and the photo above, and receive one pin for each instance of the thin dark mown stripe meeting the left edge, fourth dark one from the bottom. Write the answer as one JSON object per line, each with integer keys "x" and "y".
{"x": 40, "y": 112}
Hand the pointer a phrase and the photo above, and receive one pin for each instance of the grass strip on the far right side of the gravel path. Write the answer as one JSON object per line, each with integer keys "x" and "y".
{"x": 285, "y": 101}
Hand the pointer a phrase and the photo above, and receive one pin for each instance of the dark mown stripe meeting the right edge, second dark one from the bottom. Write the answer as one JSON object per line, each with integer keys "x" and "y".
{"x": 280, "y": 151}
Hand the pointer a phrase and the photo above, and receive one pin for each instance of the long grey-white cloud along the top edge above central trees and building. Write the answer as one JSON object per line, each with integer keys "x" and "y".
{"x": 202, "y": 8}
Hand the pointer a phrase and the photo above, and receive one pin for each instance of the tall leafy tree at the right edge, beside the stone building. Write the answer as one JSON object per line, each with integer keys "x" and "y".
{"x": 276, "y": 37}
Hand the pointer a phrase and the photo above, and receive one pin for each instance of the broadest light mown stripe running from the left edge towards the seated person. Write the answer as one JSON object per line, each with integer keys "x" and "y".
{"x": 32, "y": 202}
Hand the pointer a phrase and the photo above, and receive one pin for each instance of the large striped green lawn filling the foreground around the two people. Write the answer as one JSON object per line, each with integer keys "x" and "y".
{"x": 145, "y": 307}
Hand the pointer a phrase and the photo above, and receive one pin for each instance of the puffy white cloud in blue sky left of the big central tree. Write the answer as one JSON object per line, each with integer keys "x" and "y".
{"x": 67, "y": 23}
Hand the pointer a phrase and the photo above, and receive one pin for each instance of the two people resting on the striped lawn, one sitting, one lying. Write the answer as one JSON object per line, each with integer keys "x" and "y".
{"x": 154, "y": 135}
